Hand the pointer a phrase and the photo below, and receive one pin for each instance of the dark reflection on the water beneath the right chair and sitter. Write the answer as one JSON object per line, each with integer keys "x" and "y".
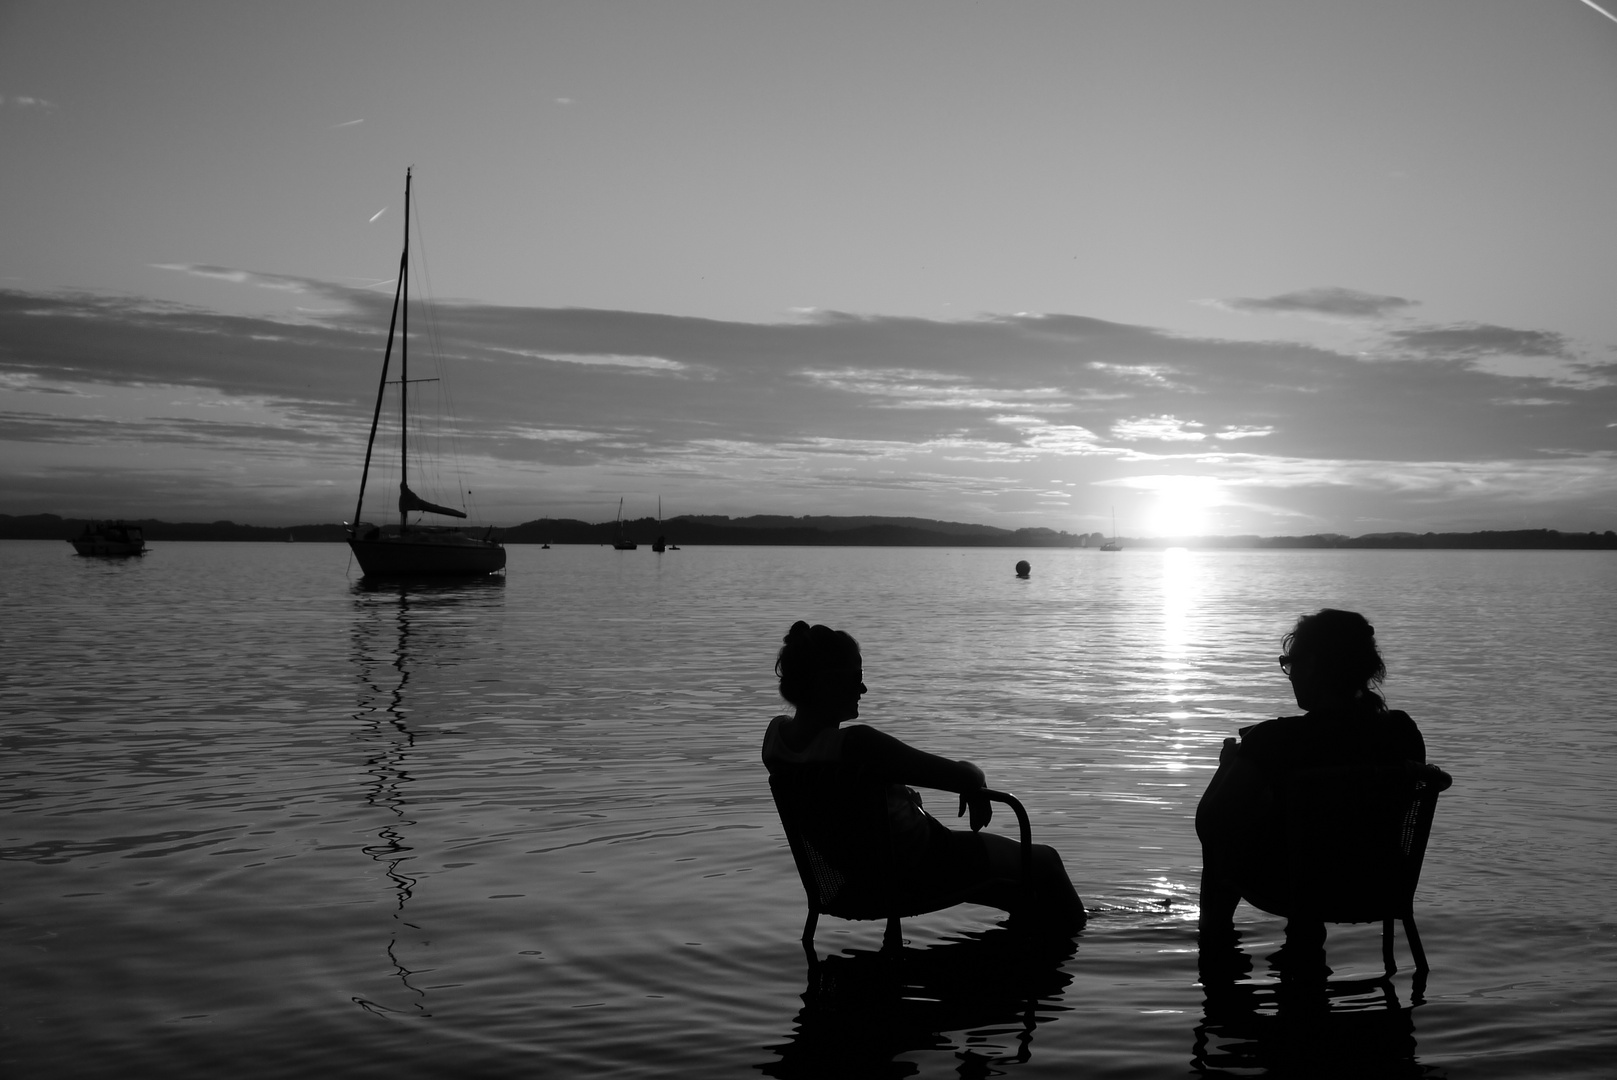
{"x": 1299, "y": 1026}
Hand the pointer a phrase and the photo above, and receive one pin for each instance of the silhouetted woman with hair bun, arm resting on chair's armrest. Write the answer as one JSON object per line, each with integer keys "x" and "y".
{"x": 822, "y": 677}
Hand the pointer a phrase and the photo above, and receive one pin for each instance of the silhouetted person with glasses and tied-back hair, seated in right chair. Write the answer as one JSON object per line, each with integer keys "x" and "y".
{"x": 1336, "y": 670}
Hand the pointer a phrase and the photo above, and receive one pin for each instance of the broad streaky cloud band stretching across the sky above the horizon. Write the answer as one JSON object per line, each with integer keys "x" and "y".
{"x": 559, "y": 407}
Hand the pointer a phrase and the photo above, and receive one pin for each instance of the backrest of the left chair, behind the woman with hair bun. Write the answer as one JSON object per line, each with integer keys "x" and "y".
{"x": 837, "y": 824}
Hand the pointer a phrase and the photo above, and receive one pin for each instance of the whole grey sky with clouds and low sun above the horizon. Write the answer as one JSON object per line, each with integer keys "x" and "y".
{"x": 1218, "y": 268}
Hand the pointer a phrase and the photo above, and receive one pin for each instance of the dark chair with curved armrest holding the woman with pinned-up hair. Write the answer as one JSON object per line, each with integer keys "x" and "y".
{"x": 837, "y": 825}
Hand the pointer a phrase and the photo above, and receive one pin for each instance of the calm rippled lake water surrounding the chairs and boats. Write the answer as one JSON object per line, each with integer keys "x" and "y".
{"x": 263, "y": 822}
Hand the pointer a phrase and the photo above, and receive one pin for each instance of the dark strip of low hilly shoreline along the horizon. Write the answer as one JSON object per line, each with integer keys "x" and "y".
{"x": 825, "y": 531}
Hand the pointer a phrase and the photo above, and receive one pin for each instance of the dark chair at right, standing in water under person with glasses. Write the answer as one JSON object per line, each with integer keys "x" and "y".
{"x": 1335, "y": 846}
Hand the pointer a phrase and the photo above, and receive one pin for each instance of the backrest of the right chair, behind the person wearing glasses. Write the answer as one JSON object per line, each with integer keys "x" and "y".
{"x": 1356, "y": 837}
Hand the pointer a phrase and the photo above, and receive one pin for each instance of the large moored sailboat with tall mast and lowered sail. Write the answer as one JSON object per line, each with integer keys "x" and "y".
{"x": 413, "y": 551}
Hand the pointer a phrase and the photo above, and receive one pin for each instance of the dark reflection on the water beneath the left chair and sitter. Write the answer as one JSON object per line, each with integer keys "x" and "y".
{"x": 866, "y": 1010}
